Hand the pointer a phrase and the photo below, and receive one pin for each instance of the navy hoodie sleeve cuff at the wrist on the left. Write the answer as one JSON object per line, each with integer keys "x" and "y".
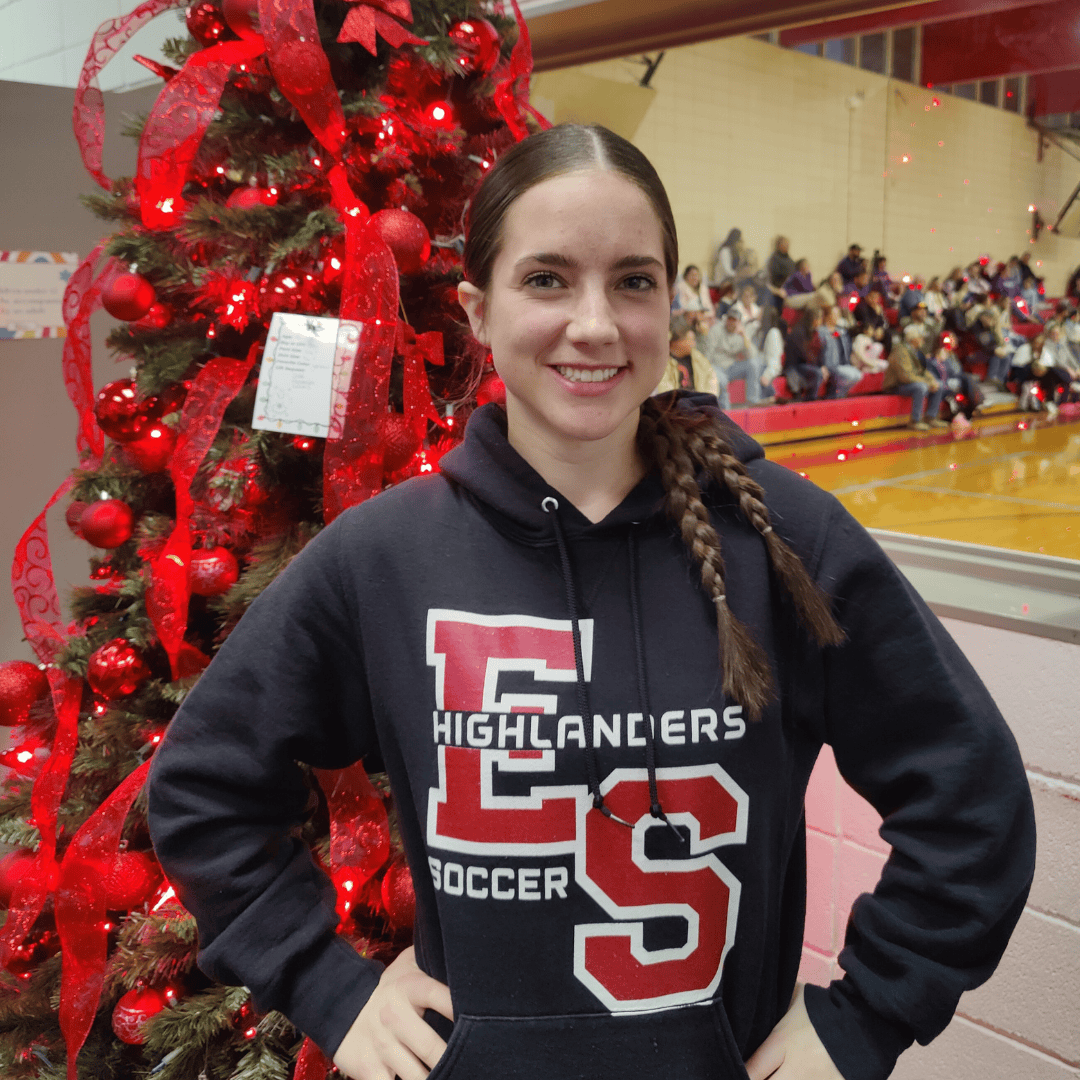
{"x": 327, "y": 1018}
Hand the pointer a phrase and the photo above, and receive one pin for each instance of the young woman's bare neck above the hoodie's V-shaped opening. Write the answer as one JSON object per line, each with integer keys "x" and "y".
{"x": 596, "y": 476}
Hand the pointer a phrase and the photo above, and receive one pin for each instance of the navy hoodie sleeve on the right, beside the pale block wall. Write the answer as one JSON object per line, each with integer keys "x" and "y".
{"x": 919, "y": 736}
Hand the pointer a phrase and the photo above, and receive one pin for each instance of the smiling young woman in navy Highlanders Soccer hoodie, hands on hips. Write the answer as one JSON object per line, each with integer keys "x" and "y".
{"x": 598, "y": 660}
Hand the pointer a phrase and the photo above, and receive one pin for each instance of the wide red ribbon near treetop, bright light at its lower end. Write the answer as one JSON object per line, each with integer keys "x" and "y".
{"x": 177, "y": 127}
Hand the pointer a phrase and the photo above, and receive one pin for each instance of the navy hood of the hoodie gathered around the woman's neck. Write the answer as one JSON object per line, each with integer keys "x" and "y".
{"x": 512, "y": 492}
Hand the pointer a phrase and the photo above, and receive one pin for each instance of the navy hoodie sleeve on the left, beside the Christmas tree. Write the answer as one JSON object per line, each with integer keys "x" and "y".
{"x": 227, "y": 796}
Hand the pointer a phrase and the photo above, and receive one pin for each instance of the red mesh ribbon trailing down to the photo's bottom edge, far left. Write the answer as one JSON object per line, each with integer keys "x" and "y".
{"x": 80, "y": 913}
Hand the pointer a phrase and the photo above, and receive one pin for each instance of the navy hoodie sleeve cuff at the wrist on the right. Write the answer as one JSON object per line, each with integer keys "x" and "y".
{"x": 863, "y": 1045}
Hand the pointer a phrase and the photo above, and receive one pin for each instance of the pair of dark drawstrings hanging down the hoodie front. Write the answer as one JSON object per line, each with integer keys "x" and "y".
{"x": 550, "y": 506}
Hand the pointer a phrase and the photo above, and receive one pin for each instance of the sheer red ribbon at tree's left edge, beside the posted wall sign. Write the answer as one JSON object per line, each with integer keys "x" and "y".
{"x": 82, "y": 299}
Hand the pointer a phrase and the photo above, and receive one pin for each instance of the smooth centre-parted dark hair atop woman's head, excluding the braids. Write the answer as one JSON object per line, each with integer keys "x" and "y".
{"x": 565, "y": 148}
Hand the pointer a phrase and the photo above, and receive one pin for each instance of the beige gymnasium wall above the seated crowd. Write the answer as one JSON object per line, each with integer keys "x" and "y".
{"x": 747, "y": 134}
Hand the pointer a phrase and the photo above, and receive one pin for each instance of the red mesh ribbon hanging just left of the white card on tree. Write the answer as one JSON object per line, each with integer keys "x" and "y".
{"x": 167, "y": 600}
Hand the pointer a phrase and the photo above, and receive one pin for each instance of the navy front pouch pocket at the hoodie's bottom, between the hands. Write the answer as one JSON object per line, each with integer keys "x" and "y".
{"x": 693, "y": 1044}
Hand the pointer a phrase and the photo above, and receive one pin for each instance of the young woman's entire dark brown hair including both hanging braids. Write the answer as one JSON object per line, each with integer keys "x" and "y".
{"x": 680, "y": 443}
